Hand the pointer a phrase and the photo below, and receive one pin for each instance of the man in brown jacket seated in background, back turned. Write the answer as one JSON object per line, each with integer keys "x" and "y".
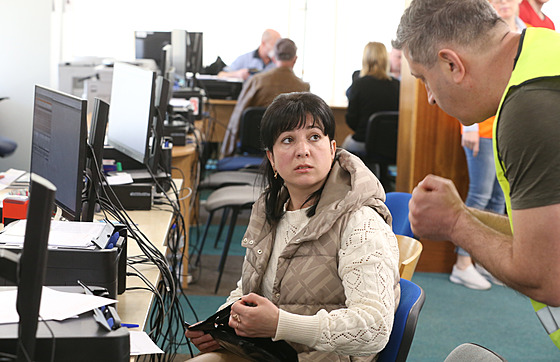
{"x": 260, "y": 90}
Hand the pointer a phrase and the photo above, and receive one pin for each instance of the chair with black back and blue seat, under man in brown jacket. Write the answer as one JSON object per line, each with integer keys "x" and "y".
{"x": 249, "y": 154}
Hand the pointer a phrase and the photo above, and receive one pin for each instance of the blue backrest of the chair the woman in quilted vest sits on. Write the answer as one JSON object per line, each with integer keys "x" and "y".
{"x": 404, "y": 326}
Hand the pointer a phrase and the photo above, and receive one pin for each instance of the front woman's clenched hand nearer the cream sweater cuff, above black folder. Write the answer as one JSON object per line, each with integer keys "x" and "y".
{"x": 254, "y": 316}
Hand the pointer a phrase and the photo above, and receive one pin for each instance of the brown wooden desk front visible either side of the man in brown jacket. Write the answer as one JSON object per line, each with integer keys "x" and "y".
{"x": 220, "y": 112}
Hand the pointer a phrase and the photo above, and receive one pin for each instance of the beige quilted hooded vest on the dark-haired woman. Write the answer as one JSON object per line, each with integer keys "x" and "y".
{"x": 307, "y": 275}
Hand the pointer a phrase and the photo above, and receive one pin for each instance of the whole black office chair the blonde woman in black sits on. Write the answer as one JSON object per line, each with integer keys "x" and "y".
{"x": 381, "y": 145}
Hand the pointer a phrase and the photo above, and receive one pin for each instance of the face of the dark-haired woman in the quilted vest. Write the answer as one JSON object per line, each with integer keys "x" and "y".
{"x": 303, "y": 157}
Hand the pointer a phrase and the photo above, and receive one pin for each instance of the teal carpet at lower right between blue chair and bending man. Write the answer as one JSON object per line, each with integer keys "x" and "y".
{"x": 499, "y": 319}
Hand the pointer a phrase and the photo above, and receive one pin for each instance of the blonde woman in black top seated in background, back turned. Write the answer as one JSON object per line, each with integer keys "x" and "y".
{"x": 374, "y": 91}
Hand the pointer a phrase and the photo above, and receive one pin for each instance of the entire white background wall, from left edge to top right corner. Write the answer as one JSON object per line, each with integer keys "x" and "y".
{"x": 37, "y": 35}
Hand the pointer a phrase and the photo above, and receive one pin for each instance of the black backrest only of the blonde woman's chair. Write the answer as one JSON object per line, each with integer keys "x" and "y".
{"x": 381, "y": 137}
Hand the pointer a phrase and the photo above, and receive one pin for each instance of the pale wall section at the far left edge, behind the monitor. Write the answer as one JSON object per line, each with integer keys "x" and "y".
{"x": 25, "y": 26}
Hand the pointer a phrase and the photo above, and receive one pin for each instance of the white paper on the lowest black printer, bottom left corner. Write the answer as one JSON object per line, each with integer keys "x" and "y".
{"x": 55, "y": 305}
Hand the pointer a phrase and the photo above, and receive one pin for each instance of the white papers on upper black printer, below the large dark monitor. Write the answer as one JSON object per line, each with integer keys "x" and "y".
{"x": 63, "y": 234}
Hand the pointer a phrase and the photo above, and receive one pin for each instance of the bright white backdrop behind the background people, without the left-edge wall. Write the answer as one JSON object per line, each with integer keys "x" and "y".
{"x": 330, "y": 34}
